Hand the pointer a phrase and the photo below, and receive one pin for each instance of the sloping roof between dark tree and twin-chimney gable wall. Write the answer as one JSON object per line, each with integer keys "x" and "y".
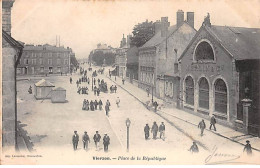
{"x": 157, "y": 38}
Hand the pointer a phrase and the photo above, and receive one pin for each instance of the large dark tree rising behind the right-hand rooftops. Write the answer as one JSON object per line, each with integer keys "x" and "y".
{"x": 142, "y": 32}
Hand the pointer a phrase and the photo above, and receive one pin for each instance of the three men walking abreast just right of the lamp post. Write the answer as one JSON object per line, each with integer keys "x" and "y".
{"x": 154, "y": 131}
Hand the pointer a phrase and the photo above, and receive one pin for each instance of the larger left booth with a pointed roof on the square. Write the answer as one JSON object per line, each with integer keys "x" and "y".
{"x": 42, "y": 89}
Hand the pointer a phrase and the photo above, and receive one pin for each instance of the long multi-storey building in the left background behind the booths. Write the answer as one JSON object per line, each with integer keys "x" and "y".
{"x": 44, "y": 59}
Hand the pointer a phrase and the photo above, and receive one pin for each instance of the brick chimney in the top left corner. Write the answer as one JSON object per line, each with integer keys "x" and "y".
{"x": 6, "y": 15}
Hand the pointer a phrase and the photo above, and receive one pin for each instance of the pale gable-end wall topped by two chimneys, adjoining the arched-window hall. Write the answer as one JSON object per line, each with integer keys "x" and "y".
{"x": 169, "y": 51}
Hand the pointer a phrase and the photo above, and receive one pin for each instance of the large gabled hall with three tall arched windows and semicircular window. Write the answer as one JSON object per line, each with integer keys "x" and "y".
{"x": 220, "y": 75}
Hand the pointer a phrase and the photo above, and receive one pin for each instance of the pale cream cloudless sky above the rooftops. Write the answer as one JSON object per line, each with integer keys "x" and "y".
{"x": 82, "y": 24}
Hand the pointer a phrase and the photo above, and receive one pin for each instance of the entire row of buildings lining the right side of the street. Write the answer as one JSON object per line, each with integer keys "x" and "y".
{"x": 209, "y": 71}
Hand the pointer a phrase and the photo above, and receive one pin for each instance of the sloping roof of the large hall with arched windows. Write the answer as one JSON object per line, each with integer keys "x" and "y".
{"x": 242, "y": 43}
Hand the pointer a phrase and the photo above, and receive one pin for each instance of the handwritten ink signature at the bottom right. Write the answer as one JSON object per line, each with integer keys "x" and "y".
{"x": 223, "y": 157}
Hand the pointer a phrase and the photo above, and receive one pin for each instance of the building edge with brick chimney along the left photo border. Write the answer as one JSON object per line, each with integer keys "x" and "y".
{"x": 11, "y": 53}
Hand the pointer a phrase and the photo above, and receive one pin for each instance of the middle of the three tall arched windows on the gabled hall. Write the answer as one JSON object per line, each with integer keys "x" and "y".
{"x": 203, "y": 93}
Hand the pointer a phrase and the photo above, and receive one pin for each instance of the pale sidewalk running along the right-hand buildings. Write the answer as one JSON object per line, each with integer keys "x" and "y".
{"x": 184, "y": 116}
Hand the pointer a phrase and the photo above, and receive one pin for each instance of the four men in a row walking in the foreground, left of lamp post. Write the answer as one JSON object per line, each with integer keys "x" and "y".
{"x": 86, "y": 140}
